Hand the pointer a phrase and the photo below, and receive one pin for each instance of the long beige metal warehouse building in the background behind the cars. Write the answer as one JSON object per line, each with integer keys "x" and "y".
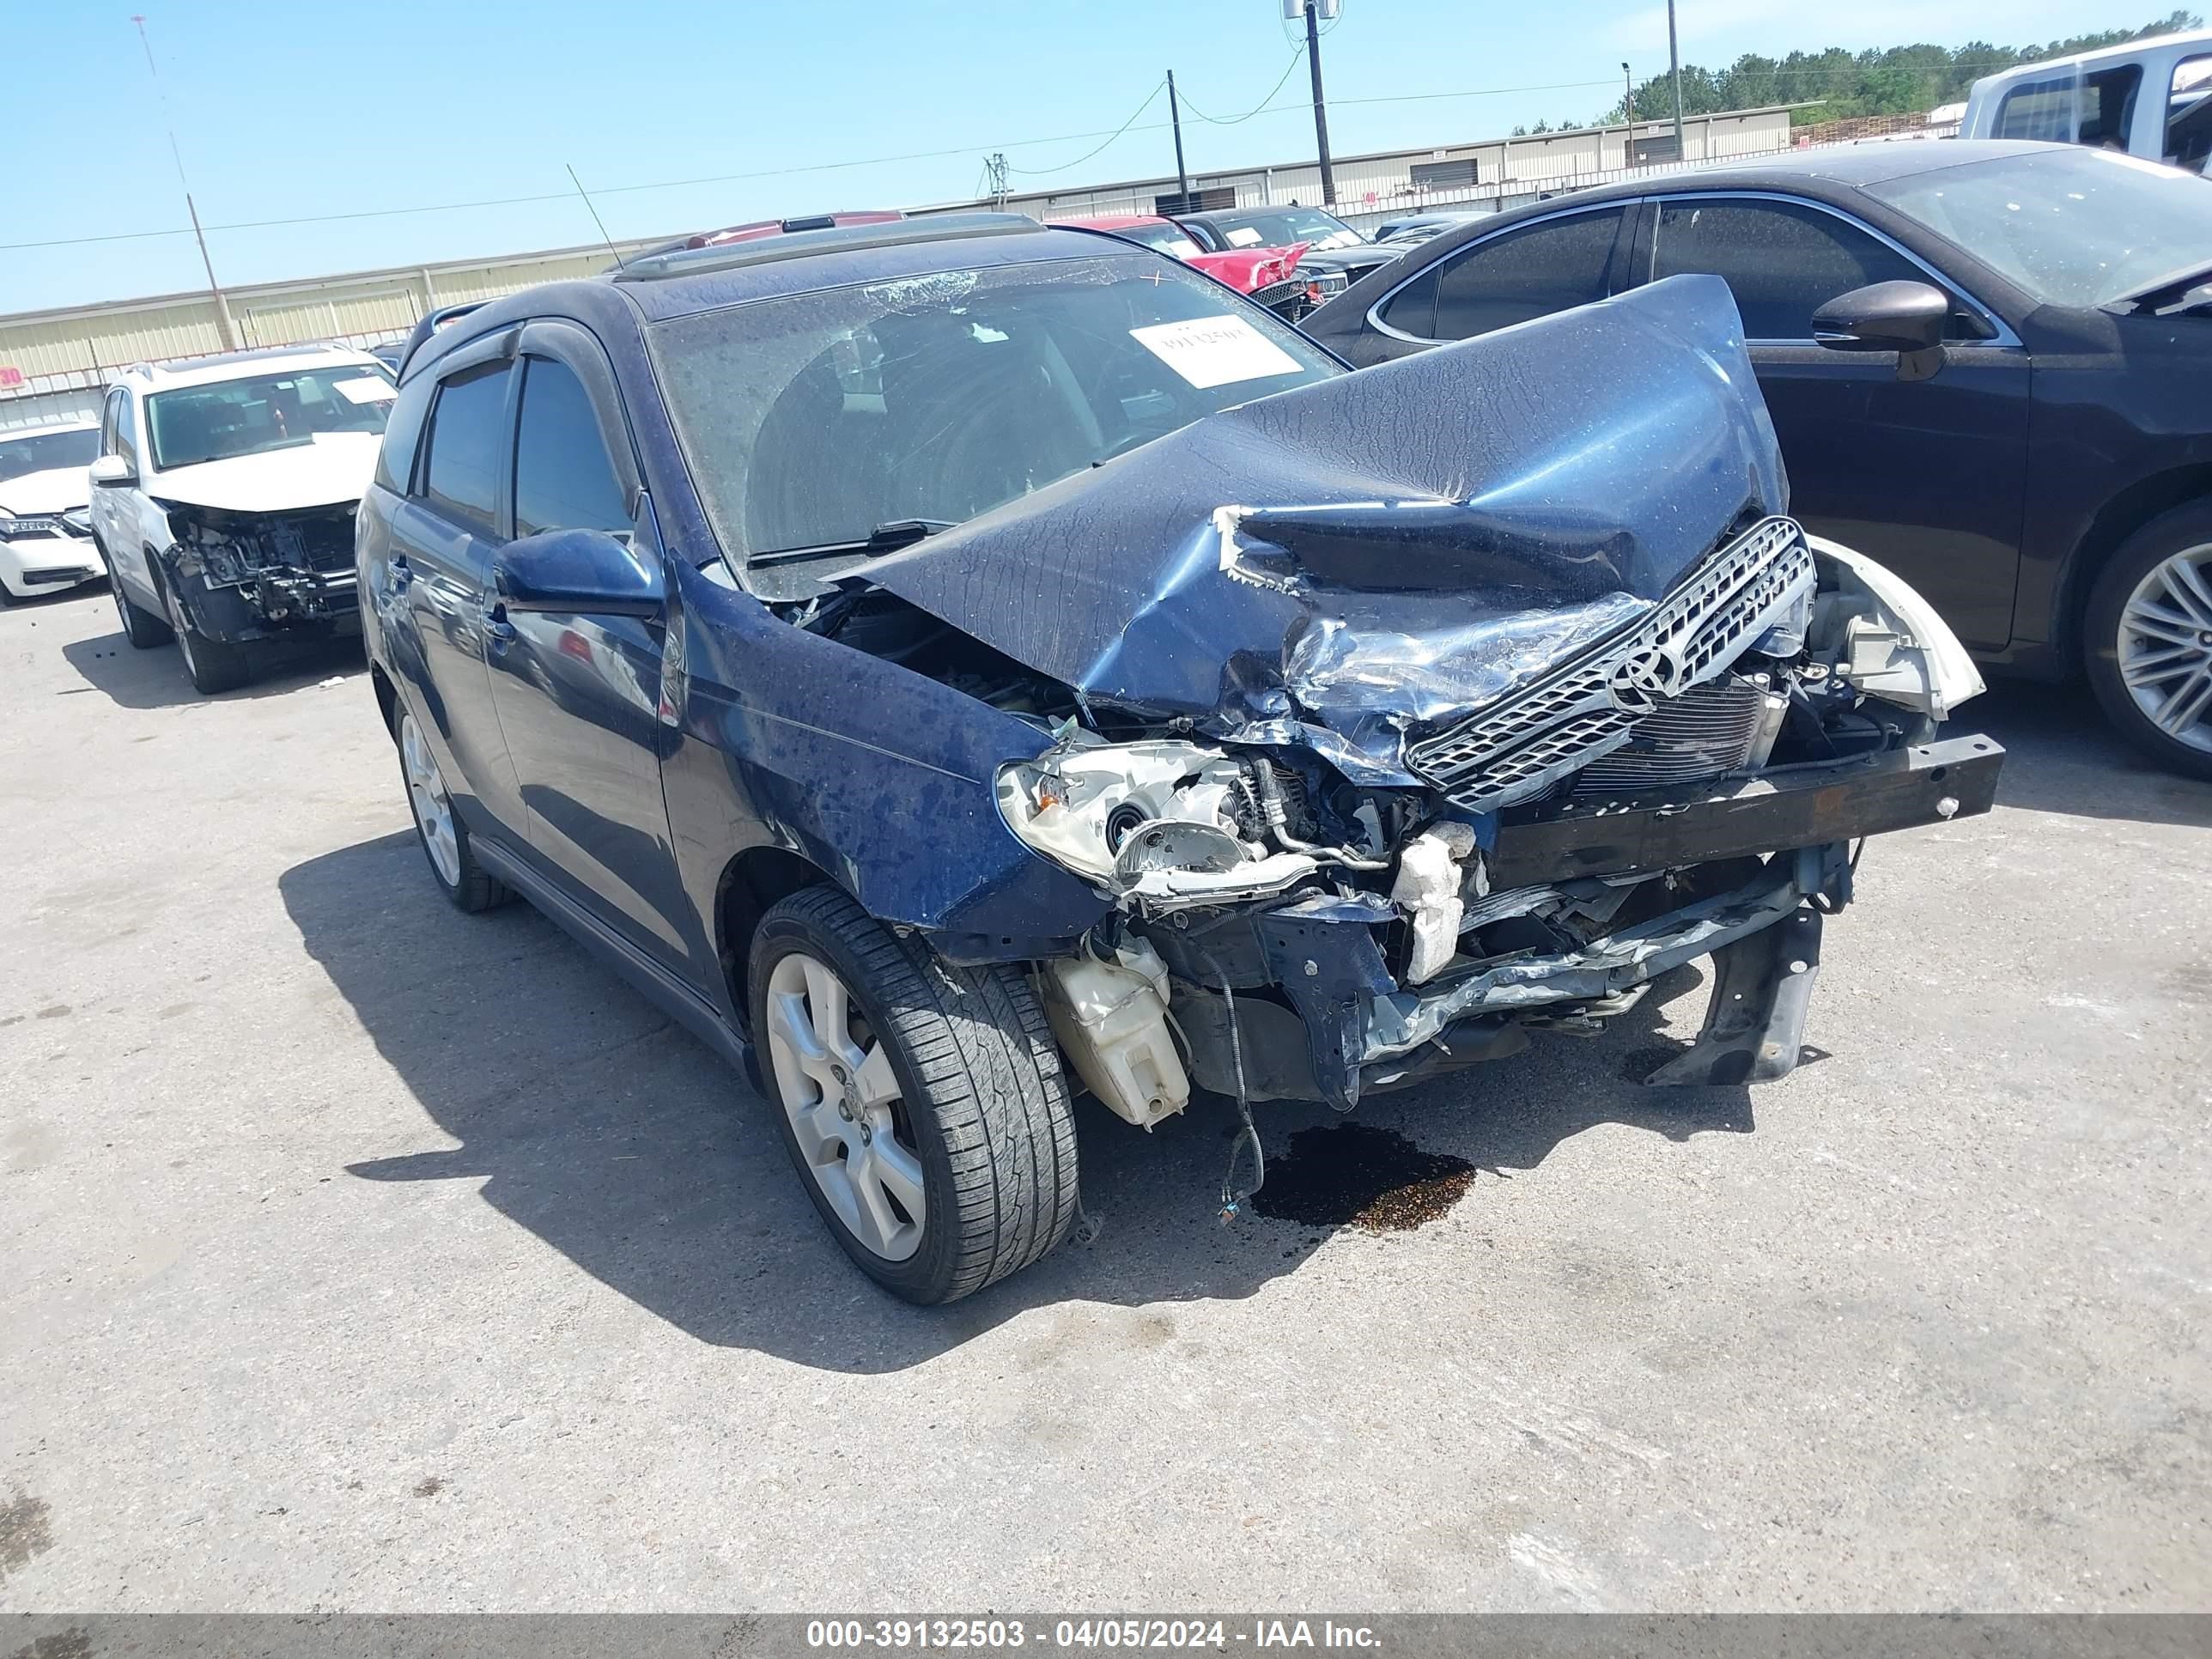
{"x": 54, "y": 364}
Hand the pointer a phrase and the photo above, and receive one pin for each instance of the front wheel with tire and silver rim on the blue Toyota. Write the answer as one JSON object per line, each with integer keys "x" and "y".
{"x": 924, "y": 1103}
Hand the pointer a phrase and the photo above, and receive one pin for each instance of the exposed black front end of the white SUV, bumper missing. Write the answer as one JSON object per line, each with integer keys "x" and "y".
{"x": 253, "y": 576}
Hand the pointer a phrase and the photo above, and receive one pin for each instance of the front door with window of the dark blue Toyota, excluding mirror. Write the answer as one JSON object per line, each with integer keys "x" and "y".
{"x": 581, "y": 696}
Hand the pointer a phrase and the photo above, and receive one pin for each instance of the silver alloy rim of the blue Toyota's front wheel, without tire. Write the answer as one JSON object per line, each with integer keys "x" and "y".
{"x": 842, "y": 1096}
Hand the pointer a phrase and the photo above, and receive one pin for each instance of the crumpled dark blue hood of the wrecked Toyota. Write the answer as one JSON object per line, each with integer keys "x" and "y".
{"x": 1388, "y": 550}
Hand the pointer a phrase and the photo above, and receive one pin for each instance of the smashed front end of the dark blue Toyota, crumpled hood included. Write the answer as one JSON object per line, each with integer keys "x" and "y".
{"x": 1503, "y": 689}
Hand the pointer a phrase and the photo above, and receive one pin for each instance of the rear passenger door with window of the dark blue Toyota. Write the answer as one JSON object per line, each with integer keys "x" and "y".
{"x": 444, "y": 539}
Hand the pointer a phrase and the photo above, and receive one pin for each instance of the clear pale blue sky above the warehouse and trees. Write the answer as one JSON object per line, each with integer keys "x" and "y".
{"x": 322, "y": 109}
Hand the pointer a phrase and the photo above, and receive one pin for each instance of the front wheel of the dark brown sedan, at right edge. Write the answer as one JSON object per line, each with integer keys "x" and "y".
{"x": 2151, "y": 640}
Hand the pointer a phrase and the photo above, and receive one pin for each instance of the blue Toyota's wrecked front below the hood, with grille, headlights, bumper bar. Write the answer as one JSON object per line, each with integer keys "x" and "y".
{"x": 1684, "y": 786}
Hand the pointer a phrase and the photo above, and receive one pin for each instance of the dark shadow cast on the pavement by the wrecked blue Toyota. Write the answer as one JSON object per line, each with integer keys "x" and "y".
{"x": 627, "y": 1147}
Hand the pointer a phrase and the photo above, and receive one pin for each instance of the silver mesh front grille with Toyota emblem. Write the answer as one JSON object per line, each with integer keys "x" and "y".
{"x": 1572, "y": 718}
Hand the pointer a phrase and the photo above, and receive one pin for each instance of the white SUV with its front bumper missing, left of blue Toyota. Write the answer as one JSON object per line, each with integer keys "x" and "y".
{"x": 225, "y": 499}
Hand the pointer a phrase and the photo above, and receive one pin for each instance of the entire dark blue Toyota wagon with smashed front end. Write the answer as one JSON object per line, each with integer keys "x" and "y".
{"x": 961, "y": 665}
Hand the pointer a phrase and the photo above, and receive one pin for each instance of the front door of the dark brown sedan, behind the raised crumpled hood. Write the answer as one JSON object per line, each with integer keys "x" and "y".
{"x": 1928, "y": 477}
